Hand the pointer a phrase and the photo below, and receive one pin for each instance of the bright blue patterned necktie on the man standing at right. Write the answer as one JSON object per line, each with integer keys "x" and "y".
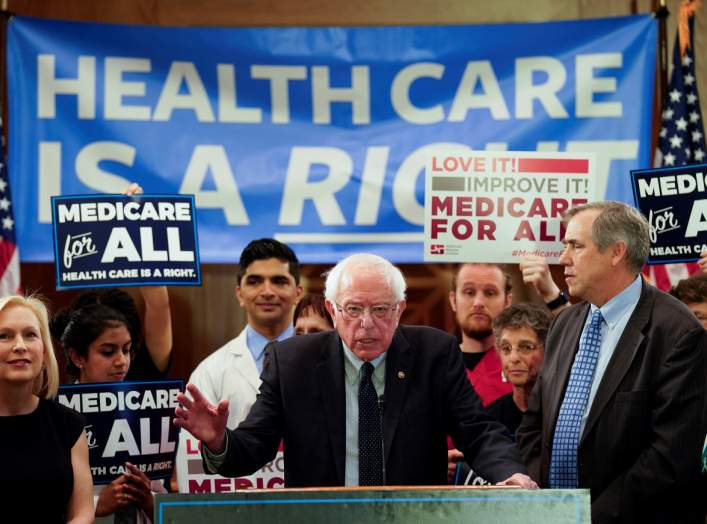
{"x": 563, "y": 462}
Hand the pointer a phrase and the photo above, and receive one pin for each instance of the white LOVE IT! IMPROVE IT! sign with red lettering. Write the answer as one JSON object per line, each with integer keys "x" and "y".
{"x": 485, "y": 206}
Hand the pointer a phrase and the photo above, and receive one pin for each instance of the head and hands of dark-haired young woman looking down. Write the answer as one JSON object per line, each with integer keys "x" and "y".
{"x": 98, "y": 341}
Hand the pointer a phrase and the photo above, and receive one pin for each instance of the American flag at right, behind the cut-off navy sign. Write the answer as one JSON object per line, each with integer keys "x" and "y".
{"x": 682, "y": 141}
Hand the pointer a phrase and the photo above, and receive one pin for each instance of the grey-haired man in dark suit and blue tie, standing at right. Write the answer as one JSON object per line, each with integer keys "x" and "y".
{"x": 619, "y": 405}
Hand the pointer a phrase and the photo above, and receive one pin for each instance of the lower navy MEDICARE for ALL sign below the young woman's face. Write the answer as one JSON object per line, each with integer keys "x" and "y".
{"x": 127, "y": 421}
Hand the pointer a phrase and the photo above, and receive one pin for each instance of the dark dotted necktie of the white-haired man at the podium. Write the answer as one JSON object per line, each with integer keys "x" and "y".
{"x": 370, "y": 450}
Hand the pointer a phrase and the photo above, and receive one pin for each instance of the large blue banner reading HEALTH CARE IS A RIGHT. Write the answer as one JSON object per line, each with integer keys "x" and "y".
{"x": 316, "y": 136}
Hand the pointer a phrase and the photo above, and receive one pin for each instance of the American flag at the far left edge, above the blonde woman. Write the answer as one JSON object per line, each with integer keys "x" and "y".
{"x": 9, "y": 254}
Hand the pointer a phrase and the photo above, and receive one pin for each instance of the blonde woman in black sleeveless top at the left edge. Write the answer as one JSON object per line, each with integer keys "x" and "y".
{"x": 45, "y": 474}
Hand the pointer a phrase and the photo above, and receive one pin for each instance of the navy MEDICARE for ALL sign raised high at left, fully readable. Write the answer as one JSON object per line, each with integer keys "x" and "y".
{"x": 117, "y": 240}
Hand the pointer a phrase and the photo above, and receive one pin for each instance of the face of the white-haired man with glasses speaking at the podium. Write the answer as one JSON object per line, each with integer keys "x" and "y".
{"x": 366, "y": 313}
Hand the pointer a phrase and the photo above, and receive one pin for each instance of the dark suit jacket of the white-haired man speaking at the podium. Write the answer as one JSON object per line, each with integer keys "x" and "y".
{"x": 427, "y": 396}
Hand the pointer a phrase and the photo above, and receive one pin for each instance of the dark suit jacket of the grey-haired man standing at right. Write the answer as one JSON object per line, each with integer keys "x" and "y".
{"x": 639, "y": 450}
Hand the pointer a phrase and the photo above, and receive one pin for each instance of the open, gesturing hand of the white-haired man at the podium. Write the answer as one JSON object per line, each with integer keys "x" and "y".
{"x": 202, "y": 419}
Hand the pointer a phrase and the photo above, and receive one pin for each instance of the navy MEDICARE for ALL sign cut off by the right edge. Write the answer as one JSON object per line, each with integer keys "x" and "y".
{"x": 674, "y": 200}
